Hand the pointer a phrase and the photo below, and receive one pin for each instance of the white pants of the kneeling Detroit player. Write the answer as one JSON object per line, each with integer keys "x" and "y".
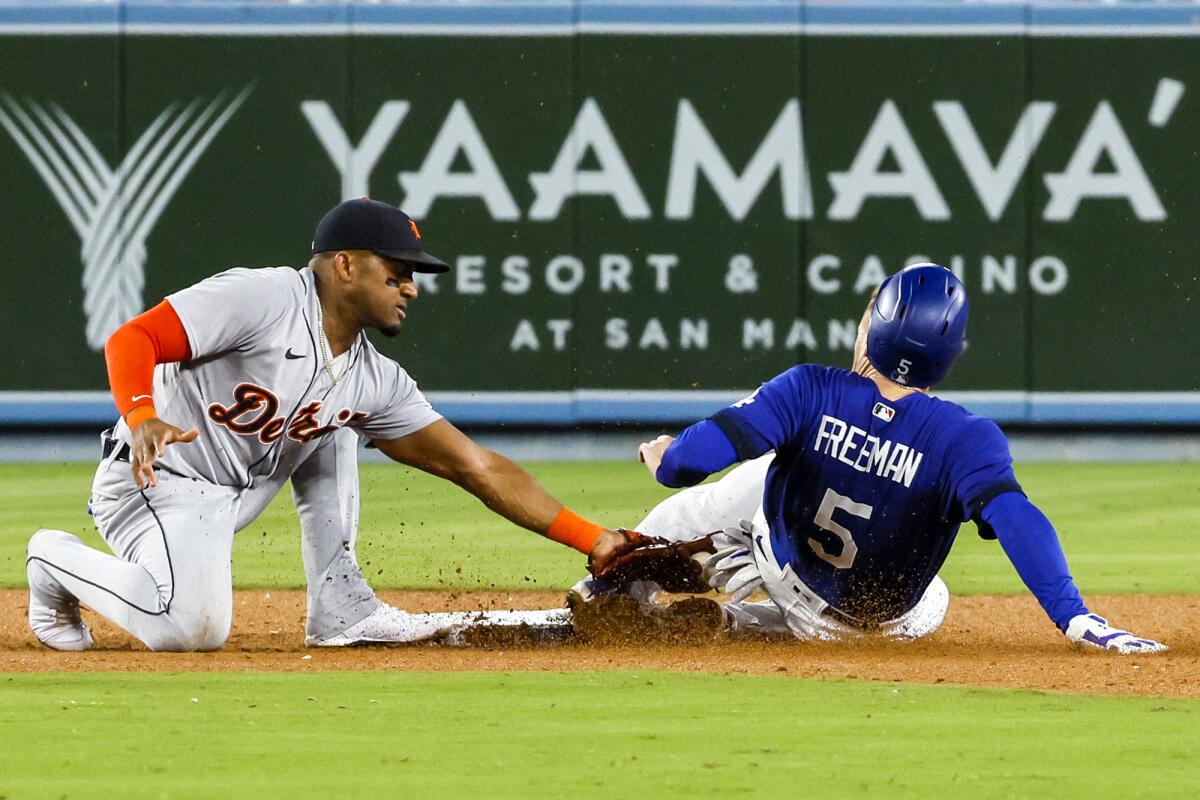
{"x": 170, "y": 584}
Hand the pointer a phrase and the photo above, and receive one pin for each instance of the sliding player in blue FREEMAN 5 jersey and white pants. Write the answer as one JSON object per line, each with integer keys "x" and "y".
{"x": 855, "y": 485}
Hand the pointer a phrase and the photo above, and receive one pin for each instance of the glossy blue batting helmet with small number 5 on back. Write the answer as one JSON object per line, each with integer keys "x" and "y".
{"x": 919, "y": 326}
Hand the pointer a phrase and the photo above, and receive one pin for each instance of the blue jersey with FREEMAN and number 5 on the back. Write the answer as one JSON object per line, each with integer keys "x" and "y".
{"x": 866, "y": 496}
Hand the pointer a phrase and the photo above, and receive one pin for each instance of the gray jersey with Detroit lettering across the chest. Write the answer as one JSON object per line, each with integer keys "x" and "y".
{"x": 257, "y": 387}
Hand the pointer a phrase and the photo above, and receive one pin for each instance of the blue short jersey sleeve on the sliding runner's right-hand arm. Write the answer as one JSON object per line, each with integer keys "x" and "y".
{"x": 981, "y": 468}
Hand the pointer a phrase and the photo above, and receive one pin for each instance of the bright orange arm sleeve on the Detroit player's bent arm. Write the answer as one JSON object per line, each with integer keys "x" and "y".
{"x": 154, "y": 338}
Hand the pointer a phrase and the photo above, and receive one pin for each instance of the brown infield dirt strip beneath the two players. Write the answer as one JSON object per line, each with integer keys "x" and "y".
{"x": 987, "y": 641}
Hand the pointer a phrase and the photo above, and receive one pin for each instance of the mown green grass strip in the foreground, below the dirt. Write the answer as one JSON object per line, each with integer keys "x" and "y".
{"x": 578, "y": 736}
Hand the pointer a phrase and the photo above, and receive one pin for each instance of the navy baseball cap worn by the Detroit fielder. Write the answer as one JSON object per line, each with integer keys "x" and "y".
{"x": 381, "y": 228}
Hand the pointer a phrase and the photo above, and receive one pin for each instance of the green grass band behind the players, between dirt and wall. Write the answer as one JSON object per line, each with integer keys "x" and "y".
{"x": 1127, "y": 528}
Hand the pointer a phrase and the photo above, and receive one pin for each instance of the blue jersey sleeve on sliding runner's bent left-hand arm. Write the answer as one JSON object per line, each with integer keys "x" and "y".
{"x": 772, "y": 417}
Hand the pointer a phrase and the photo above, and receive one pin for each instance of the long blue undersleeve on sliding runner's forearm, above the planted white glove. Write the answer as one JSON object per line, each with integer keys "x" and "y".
{"x": 1033, "y": 546}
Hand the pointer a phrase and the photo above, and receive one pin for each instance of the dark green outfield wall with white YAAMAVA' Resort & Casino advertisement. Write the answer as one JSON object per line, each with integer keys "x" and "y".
{"x": 640, "y": 207}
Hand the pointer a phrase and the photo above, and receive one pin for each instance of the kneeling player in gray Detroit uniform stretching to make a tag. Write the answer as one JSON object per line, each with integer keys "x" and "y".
{"x": 233, "y": 387}
